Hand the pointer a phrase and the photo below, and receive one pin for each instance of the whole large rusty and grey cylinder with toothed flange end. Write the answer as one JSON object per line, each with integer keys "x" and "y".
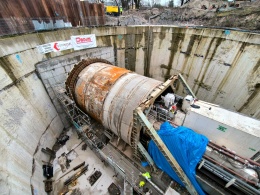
{"x": 109, "y": 94}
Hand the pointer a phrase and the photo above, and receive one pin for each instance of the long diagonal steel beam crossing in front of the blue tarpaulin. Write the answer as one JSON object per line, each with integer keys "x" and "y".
{"x": 139, "y": 115}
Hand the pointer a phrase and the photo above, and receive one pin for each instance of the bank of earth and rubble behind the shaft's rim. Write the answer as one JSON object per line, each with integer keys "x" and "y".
{"x": 242, "y": 14}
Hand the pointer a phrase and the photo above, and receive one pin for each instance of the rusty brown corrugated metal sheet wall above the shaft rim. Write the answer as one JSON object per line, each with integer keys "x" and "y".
{"x": 31, "y": 15}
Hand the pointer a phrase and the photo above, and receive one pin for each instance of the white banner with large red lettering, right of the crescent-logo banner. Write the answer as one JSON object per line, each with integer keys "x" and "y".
{"x": 83, "y": 41}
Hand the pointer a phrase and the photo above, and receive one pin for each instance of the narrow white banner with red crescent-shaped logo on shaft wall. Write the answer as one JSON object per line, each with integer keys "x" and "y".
{"x": 55, "y": 46}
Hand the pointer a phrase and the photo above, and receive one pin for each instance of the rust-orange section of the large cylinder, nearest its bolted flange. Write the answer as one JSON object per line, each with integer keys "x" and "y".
{"x": 93, "y": 85}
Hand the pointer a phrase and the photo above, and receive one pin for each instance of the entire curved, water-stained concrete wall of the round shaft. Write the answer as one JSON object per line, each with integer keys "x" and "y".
{"x": 222, "y": 69}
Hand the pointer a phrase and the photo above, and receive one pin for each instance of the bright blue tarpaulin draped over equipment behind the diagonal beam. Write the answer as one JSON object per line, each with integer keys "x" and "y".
{"x": 186, "y": 146}
